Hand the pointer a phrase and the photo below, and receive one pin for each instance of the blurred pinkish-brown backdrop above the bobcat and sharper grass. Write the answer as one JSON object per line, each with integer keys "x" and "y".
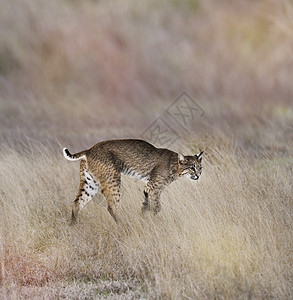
{"x": 73, "y": 73}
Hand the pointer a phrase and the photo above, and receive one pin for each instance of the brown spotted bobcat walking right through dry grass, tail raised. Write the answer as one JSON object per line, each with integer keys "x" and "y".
{"x": 102, "y": 165}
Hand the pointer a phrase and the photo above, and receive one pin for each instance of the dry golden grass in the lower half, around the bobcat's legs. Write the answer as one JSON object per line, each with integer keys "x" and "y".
{"x": 228, "y": 235}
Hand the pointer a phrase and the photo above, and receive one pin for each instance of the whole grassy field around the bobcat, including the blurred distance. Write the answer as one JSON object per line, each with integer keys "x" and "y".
{"x": 74, "y": 73}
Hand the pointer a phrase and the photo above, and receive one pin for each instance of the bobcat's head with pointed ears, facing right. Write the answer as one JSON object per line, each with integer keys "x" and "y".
{"x": 190, "y": 165}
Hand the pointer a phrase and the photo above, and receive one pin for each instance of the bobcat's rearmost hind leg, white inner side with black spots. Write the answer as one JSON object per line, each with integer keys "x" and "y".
{"x": 87, "y": 189}
